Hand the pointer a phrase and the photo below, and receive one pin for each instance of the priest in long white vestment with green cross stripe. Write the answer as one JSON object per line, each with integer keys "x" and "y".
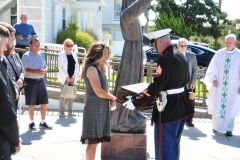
{"x": 223, "y": 75}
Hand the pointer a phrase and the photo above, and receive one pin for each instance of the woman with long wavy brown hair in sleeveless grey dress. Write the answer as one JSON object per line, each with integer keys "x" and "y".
{"x": 96, "y": 115}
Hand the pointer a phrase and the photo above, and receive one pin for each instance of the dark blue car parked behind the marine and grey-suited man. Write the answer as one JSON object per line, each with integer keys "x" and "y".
{"x": 203, "y": 54}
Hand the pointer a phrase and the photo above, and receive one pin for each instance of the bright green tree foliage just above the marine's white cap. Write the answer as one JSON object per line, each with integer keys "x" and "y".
{"x": 176, "y": 24}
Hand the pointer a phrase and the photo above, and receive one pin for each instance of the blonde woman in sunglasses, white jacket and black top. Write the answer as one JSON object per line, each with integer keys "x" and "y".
{"x": 68, "y": 70}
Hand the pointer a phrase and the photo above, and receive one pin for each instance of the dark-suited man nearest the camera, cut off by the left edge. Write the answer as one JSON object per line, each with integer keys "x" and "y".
{"x": 10, "y": 143}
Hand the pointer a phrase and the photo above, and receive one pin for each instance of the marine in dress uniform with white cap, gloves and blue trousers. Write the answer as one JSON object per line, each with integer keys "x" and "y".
{"x": 171, "y": 77}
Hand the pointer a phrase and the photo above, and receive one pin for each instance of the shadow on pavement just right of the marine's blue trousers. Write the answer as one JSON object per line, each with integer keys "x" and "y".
{"x": 193, "y": 133}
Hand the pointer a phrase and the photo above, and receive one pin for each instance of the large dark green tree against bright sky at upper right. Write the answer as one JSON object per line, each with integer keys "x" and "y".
{"x": 196, "y": 13}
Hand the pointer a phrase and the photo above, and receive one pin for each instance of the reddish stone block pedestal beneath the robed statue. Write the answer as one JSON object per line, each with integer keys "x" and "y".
{"x": 125, "y": 146}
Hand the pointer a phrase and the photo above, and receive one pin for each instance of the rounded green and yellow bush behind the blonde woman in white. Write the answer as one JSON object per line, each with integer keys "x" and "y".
{"x": 80, "y": 38}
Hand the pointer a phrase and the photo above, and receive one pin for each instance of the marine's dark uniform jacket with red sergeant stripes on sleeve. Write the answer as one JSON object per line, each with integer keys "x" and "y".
{"x": 172, "y": 73}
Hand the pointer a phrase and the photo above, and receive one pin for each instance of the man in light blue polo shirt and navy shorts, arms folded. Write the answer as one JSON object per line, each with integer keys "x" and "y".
{"x": 35, "y": 91}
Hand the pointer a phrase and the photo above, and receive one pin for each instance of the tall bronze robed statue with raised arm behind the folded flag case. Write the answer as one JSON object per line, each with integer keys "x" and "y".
{"x": 131, "y": 66}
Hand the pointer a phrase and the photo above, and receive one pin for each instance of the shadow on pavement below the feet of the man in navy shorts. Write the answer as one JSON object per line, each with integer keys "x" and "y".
{"x": 30, "y": 136}
